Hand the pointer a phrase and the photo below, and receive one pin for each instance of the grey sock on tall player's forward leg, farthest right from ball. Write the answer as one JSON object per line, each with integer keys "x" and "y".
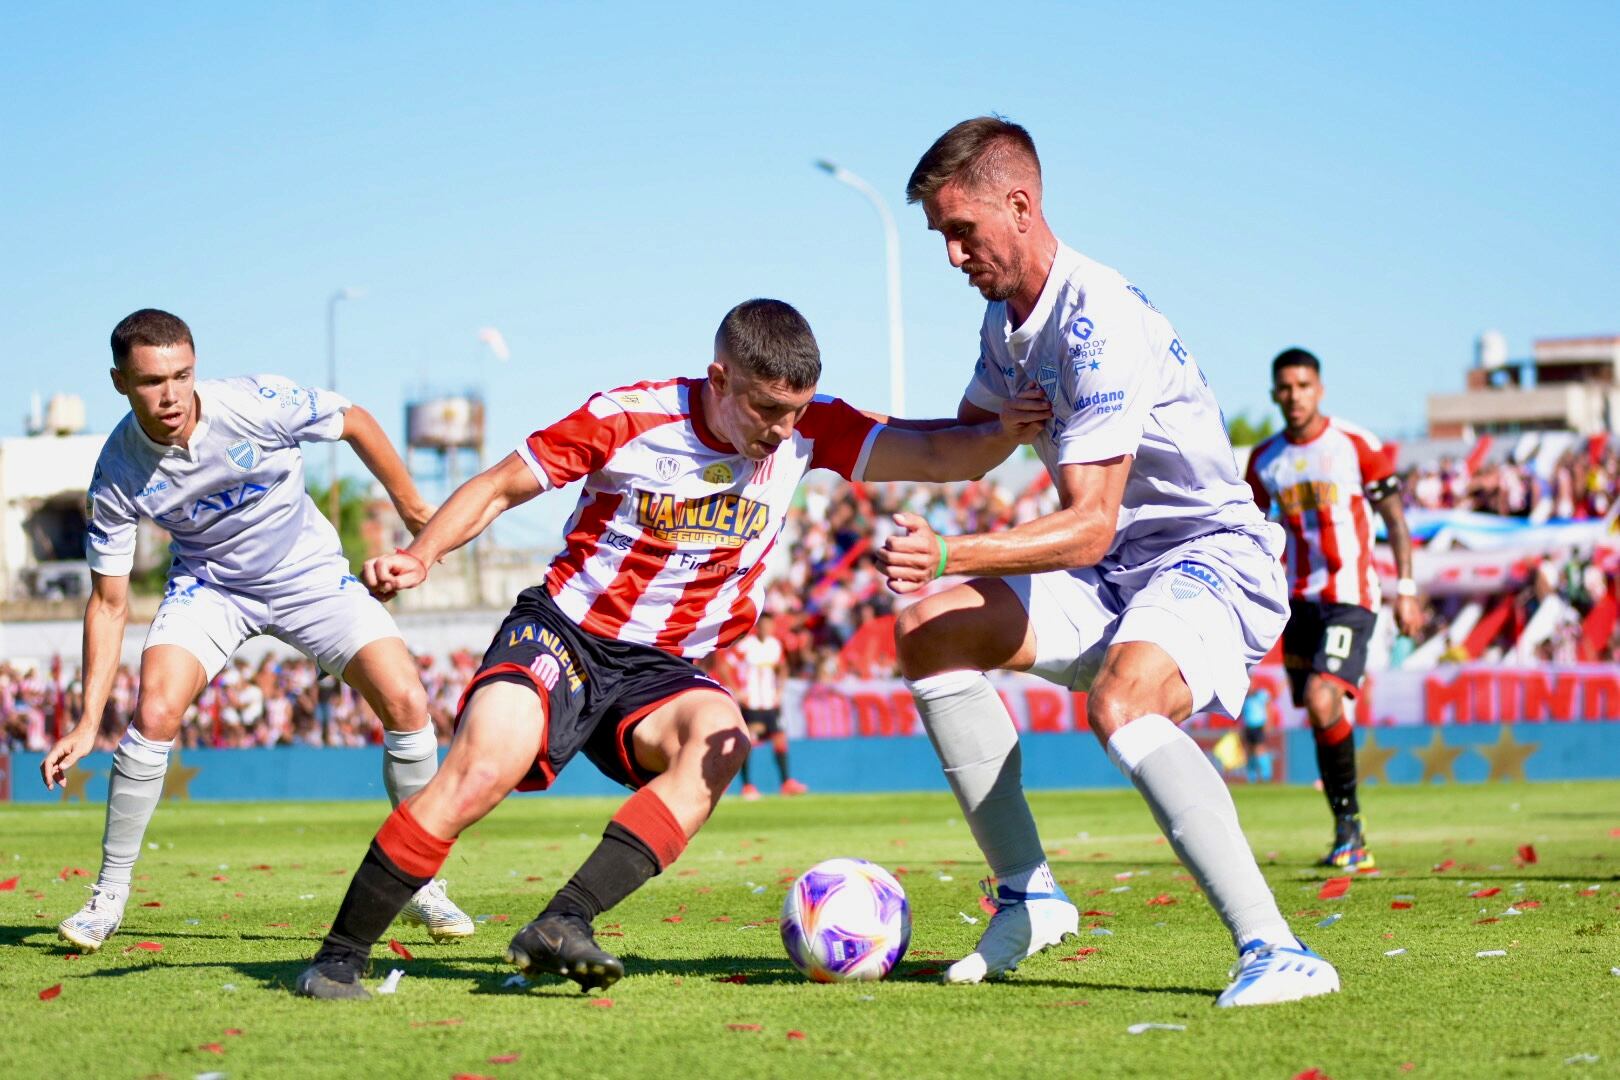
{"x": 1198, "y": 817}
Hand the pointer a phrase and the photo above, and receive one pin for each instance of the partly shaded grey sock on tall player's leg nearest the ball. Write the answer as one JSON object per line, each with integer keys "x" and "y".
{"x": 978, "y": 746}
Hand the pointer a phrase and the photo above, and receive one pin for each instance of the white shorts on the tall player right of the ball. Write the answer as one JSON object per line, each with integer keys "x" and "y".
{"x": 1216, "y": 605}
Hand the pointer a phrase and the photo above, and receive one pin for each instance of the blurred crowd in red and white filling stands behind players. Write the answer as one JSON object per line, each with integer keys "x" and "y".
{"x": 837, "y": 619}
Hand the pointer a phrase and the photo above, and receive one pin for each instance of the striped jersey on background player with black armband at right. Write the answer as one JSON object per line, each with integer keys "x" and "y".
{"x": 1318, "y": 490}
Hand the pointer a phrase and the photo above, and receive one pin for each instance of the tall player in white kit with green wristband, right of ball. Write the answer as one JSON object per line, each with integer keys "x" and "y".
{"x": 1156, "y": 585}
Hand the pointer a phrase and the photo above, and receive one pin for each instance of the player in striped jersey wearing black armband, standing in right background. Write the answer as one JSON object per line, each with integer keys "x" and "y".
{"x": 1321, "y": 477}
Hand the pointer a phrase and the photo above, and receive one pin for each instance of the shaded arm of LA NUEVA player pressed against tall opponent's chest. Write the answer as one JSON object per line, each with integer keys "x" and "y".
{"x": 958, "y": 451}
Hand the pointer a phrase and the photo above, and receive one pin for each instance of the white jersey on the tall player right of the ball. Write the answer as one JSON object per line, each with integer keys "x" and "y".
{"x": 1120, "y": 381}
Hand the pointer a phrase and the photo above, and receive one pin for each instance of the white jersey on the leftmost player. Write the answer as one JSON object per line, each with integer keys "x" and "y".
{"x": 234, "y": 503}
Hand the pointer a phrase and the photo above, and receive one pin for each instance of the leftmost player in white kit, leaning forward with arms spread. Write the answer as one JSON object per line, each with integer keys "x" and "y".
{"x": 216, "y": 462}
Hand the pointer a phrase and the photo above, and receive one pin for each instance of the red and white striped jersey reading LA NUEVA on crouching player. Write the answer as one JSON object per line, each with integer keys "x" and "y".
{"x": 671, "y": 535}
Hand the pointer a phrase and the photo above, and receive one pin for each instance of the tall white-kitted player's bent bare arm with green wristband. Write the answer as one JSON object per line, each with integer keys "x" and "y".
{"x": 1078, "y": 535}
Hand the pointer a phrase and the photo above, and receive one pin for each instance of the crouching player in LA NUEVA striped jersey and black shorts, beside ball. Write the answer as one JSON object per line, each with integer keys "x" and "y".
{"x": 686, "y": 485}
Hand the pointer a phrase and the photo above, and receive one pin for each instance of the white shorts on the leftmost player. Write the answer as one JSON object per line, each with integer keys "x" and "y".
{"x": 330, "y": 618}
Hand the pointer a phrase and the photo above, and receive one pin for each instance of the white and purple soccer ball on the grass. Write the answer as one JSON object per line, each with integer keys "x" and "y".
{"x": 846, "y": 921}
